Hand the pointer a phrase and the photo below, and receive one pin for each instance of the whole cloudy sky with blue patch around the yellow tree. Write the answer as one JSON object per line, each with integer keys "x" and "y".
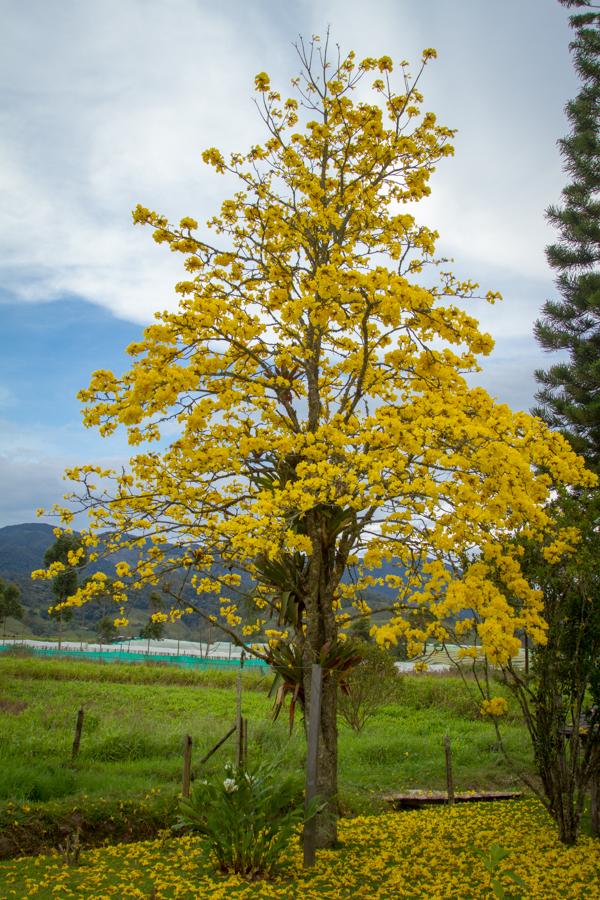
{"x": 107, "y": 103}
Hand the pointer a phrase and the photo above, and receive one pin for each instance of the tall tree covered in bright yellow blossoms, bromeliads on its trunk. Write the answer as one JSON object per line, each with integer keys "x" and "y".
{"x": 310, "y": 404}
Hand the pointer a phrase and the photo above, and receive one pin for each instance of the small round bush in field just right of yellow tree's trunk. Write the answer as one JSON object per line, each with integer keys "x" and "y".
{"x": 368, "y": 686}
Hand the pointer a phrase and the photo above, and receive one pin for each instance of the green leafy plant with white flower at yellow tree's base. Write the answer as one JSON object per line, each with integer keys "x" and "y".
{"x": 249, "y": 818}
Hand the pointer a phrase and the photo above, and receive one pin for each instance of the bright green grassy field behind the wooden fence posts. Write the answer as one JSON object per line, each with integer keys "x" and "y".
{"x": 136, "y": 717}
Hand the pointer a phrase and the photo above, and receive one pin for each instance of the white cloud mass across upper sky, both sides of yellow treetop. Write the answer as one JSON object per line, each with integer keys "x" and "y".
{"x": 110, "y": 104}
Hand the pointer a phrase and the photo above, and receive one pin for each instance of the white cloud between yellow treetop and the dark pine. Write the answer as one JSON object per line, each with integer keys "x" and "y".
{"x": 504, "y": 90}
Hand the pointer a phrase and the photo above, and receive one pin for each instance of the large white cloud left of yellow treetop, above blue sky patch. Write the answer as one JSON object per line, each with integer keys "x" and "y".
{"x": 114, "y": 110}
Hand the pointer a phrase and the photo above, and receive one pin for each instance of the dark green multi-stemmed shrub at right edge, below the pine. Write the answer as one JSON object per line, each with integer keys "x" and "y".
{"x": 558, "y": 688}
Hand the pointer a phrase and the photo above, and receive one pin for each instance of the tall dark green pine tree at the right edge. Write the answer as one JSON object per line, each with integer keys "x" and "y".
{"x": 570, "y": 395}
